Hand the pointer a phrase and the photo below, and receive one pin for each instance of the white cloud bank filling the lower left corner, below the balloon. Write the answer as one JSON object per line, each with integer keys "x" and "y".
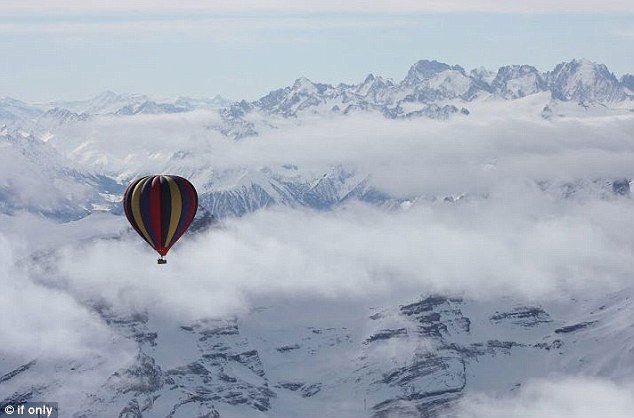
{"x": 47, "y": 328}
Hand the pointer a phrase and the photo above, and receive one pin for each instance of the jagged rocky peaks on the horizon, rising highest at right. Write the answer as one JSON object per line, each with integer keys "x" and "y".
{"x": 432, "y": 82}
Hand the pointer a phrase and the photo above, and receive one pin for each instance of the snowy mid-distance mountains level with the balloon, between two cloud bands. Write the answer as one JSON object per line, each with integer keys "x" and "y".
{"x": 44, "y": 182}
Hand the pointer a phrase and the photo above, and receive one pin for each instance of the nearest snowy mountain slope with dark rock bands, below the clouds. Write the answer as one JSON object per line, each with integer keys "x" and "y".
{"x": 416, "y": 359}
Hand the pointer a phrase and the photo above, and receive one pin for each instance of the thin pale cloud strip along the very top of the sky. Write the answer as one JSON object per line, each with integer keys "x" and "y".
{"x": 398, "y": 6}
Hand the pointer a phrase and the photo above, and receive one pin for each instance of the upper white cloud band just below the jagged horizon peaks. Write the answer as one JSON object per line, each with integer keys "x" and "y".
{"x": 403, "y": 158}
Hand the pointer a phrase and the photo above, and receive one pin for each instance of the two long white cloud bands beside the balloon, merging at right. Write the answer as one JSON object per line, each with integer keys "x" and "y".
{"x": 513, "y": 233}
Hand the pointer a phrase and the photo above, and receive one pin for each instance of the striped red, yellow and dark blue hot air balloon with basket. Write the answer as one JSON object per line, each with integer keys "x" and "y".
{"x": 160, "y": 209}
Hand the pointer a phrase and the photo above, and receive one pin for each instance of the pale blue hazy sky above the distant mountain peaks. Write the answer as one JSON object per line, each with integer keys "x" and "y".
{"x": 243, "y": 49}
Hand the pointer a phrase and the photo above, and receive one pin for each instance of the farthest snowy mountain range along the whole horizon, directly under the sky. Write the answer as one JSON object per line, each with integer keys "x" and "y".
{"x": 430, "y": 89}
